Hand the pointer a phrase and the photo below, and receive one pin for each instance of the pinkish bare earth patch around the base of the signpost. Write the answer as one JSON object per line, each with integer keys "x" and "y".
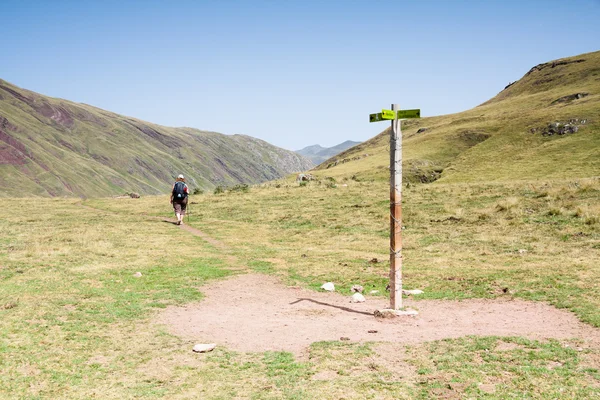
{"x": 255, "y": 313}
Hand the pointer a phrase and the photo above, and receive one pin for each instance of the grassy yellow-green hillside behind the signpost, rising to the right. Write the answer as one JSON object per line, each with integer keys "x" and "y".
{"x": 546, "y": 125}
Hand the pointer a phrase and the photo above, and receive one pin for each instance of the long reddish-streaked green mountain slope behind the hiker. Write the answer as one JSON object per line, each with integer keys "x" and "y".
{"x": 54, "y": 147}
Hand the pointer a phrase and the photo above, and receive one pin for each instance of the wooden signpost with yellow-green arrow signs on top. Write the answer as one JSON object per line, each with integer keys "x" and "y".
{"x": 395, "y": 115}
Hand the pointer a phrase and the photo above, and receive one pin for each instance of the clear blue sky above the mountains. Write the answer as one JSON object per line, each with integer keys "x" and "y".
{"x": 293, "y": 73}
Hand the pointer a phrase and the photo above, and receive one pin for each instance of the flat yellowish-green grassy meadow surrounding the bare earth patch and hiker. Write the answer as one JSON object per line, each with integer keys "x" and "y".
{"x": 75, "y": 322}
